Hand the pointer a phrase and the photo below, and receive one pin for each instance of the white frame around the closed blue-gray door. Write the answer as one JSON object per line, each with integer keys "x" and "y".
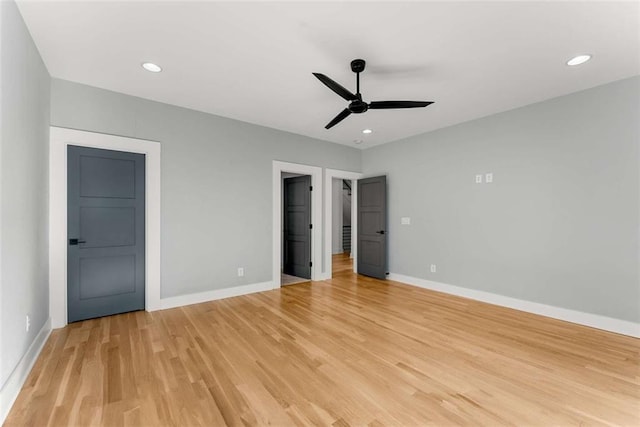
{"x": 59, "y": 139}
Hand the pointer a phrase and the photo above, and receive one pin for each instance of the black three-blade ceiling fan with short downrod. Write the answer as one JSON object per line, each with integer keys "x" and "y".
{"x": 357, "y": 105}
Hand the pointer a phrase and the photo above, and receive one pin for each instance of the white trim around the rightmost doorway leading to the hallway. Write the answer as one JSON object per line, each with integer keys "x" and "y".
{"x": 329, "y": 174}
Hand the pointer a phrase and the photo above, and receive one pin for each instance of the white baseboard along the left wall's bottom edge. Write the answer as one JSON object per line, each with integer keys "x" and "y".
{"x": 16, "y": 380}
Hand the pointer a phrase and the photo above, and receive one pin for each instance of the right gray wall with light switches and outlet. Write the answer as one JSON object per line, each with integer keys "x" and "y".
{"x": 559, "y": 224}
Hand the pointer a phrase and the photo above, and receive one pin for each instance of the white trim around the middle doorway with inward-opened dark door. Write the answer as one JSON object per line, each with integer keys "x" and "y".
{"x": 316, "y": 216}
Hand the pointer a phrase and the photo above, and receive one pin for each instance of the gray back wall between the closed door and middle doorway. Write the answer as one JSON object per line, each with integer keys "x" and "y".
{"x": 216, "y": 181}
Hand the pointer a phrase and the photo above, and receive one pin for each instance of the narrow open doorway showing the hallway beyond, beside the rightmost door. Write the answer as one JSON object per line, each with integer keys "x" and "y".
{"x": 341, "y": 233}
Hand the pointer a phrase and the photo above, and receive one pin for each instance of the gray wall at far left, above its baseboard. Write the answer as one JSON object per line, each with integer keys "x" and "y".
{"x": 24, "y": 142}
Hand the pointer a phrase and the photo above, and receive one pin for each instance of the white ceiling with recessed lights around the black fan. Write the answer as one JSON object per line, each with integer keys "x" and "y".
{"x": 252, "y": 61}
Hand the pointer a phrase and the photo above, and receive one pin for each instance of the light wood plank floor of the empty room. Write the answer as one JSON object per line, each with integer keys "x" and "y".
{"x": 349, "y": 351}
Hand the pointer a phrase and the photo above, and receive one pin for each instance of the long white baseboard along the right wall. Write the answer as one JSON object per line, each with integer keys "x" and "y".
{"x": 587, "y": 319}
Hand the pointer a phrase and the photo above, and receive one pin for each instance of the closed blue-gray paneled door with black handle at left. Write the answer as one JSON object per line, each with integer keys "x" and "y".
{"x": 106, "y": 235}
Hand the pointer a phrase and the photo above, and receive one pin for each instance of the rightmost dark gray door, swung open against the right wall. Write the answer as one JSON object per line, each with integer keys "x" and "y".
{"x": 372, "y": 227}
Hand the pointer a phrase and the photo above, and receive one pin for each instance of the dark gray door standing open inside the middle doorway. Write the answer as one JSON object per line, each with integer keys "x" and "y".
{"x": 297, "y": 226}
